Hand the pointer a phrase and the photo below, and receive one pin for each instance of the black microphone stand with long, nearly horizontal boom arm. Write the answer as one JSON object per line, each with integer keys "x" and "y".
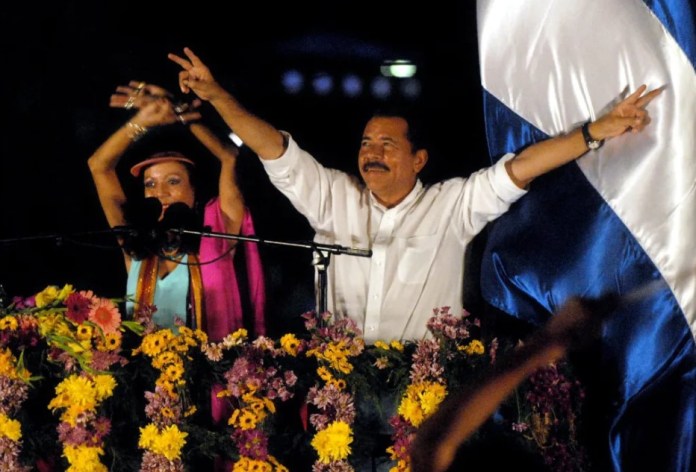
{"x": 320, "y": 261}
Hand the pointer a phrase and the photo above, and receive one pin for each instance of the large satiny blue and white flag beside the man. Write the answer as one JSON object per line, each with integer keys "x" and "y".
{"x": 617, "y": 219}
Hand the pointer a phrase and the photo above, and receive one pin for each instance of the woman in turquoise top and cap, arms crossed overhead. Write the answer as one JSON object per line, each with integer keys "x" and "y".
{"x": 196, "y": 285}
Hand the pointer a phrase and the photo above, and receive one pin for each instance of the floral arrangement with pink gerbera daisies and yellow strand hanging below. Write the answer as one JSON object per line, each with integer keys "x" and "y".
{"x": 83, "y": 335}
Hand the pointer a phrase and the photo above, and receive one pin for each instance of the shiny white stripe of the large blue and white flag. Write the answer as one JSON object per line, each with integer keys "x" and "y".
{"x": 594, "y": 50}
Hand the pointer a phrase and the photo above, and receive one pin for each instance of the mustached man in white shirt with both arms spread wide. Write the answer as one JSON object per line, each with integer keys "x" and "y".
{"x": 417, "y": 234}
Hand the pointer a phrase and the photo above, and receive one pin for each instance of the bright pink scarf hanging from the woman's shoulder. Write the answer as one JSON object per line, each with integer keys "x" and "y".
{"x": 223, "y": 305}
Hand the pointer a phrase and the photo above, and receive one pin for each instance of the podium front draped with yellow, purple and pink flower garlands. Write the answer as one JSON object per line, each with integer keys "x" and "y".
{"x": 83, "y": 389}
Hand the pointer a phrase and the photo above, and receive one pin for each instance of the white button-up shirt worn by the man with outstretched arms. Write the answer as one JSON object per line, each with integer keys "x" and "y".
{"x": 418, "y": 246}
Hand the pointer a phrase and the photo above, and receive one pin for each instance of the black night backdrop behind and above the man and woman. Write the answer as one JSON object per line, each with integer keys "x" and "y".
{"x": 62, "y": 60}
